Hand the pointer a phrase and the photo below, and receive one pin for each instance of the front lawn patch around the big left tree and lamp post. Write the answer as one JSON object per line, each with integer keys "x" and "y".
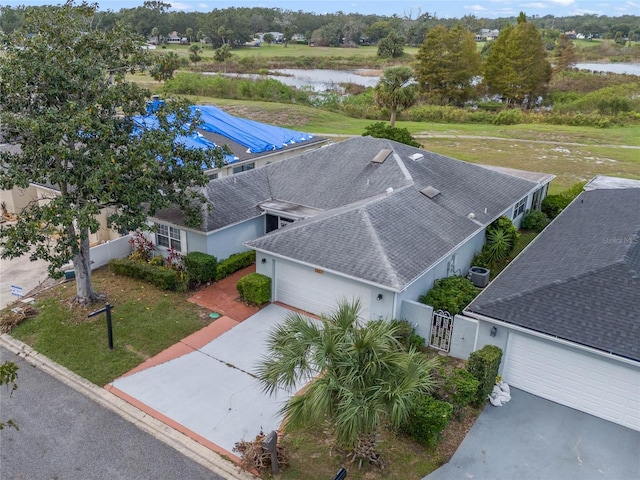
{"x": 145, "y": 322}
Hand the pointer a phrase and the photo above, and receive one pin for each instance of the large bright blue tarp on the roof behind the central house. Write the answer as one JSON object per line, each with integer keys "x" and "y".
{"x": 257, "y": 137}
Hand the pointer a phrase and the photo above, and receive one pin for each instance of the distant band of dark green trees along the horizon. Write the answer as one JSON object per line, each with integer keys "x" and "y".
{"x": 237, "y": 25}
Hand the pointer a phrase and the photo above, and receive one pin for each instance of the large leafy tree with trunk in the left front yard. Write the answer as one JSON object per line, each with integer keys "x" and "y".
{"x": 67, "y": 106}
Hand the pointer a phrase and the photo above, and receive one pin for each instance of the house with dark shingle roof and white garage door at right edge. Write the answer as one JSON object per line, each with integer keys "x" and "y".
{"x": 566, "y": 311}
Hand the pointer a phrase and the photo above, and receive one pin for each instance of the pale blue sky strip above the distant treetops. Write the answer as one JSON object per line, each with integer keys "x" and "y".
{"x": 401, "y": 8}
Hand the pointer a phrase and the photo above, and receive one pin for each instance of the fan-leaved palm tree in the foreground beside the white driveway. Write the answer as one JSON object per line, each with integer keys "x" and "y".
{"x": 361, "y": 376}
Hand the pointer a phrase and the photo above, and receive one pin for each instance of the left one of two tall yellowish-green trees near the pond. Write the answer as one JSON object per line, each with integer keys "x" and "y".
{"x": 447, "y": 64}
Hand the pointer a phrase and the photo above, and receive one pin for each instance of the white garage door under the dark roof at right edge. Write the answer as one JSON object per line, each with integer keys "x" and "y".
{"x": 594, "y": 385}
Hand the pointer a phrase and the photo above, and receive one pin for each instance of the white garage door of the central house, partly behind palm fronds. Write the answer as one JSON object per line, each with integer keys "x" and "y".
{"x": 316, "y": 291}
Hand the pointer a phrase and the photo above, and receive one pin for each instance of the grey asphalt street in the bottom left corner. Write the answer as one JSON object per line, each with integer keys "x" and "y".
{"x": 65, "y": 435}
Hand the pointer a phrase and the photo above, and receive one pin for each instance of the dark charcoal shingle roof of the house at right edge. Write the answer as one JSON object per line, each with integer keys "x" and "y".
{"x": 579, "y": 280}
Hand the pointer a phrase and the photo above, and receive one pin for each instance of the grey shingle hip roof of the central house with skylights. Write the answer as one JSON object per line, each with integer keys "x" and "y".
{"x": 369, "y": 220}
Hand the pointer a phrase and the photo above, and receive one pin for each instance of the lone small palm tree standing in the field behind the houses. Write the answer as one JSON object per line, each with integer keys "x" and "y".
{"x": 395, "y": 90}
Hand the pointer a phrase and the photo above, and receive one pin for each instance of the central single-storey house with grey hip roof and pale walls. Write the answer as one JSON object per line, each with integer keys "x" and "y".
{"x": 364, "y": 218}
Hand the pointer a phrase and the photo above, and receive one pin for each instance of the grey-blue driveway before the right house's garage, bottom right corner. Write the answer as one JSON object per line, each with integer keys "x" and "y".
{"x": 531, "y": 438}
